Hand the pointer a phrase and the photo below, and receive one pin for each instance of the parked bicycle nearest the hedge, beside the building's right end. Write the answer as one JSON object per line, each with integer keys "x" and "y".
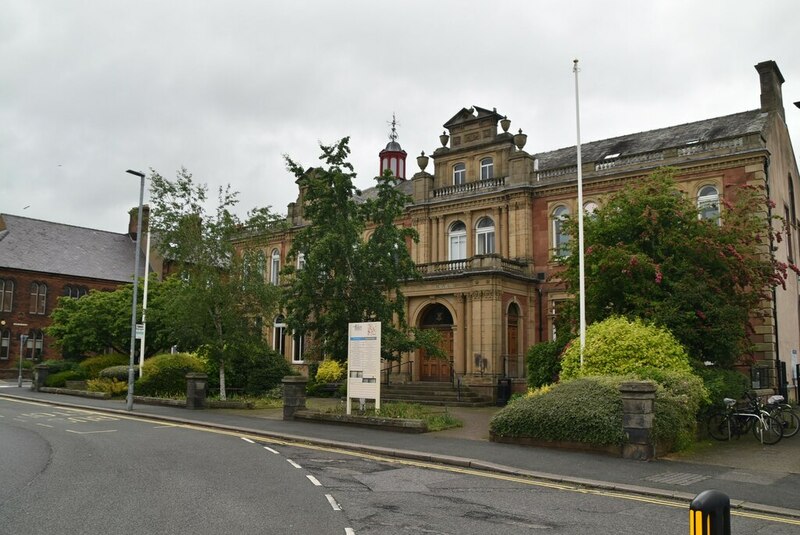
{"x": 735, "y": 422}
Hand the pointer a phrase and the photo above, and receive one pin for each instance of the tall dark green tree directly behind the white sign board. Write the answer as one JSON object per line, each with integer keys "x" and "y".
{"x": 345, "y": 278}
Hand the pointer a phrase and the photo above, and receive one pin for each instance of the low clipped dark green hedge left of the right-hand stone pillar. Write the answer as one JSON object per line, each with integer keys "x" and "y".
{"x": 587, "y": 410}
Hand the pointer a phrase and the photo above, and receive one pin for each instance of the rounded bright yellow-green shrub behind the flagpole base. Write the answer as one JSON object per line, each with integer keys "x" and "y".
{"x": 618, "y": 346}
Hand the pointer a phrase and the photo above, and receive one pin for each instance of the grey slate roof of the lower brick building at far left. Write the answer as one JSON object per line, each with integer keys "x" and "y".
{"x": 47, "y": 247}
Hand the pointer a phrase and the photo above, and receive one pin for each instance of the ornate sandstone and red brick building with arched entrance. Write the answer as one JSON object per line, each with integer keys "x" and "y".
{"x": 488, "y": 218}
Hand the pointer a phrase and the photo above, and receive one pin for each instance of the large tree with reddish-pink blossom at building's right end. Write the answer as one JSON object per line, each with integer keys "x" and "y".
{"x": 649, "y": 255}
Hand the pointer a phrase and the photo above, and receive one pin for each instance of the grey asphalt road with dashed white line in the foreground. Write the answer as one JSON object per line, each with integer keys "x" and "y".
{"x": 70, "y": 471}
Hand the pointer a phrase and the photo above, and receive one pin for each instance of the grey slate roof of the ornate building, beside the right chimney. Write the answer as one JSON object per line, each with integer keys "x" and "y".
{"x": 728, "y": 126}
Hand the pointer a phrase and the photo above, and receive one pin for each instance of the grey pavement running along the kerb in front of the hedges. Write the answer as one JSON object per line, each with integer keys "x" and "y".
{"x": 764, "y": 479}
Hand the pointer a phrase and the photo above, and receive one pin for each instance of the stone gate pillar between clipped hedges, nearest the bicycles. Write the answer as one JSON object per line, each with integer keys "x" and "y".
{"x": 638, "y": 399}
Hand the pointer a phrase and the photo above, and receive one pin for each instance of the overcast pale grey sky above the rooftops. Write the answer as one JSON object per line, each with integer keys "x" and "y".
{"x": 91, "y": 88}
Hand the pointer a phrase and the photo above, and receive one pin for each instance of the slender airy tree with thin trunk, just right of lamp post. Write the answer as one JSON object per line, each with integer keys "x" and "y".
{"x": 216, "y": 302}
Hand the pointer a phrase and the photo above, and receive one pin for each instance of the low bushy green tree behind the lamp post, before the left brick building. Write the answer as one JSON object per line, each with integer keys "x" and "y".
{"x": 101, "y": 320}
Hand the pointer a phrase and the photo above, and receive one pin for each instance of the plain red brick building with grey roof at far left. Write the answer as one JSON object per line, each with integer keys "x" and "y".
{"x": 41, "y": 261}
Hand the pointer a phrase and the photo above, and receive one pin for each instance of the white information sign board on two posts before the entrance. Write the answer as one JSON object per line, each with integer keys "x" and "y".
{"x": 364, "y": 362}
